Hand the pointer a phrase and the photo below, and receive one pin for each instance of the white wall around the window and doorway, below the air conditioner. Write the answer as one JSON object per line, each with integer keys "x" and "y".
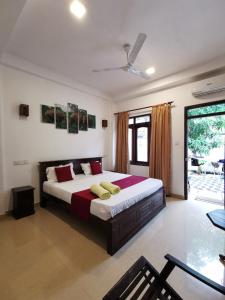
{"x": 182, "y": 96}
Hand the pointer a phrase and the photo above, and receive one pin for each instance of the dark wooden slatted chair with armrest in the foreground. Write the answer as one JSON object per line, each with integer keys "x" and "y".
{"x": 142, "y": 281}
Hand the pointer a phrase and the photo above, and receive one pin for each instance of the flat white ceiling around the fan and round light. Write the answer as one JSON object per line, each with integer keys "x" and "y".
{"x": 181, "y": 34}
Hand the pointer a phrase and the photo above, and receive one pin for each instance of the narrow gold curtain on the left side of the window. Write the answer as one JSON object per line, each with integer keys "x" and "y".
{"x": 122, "y": 142}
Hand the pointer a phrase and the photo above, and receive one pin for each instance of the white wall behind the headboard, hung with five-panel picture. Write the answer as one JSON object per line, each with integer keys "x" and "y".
{"x": 29, "y": 139}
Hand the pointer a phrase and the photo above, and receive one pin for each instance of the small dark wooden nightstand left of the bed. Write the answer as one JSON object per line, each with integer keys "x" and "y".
{"x": 23, "y": 201}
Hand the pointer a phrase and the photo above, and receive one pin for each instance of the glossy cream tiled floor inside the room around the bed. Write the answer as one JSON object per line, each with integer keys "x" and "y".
{"x": 51, "y": 256}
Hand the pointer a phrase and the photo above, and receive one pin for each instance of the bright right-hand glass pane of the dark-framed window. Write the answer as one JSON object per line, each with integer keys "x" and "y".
{"x": 142, "y": 144}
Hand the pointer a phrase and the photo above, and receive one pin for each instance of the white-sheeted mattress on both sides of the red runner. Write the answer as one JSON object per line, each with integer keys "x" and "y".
{"x": 104, "y": 209}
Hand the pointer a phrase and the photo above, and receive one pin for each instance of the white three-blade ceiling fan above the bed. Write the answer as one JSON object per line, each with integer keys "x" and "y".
{"x": 131, "y": 57}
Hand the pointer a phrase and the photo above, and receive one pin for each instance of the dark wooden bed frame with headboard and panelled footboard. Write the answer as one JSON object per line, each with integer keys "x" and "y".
{"x": 123, "y": 226}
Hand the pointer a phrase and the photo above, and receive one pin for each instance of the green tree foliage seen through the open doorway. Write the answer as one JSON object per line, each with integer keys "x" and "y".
{"x": 205, "y": 133}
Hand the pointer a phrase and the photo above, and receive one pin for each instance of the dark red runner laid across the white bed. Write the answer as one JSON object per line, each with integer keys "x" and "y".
{"x": 81, "y": 201}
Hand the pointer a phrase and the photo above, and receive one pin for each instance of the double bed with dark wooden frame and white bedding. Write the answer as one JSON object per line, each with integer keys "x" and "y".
{"x": 122, "y": 216}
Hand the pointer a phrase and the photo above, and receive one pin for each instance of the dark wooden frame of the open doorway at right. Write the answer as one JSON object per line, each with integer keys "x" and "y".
{"x": 186, "y": 118}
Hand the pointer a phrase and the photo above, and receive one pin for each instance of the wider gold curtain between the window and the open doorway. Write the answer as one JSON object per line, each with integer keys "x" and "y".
{"x": 160, "y": 147}
